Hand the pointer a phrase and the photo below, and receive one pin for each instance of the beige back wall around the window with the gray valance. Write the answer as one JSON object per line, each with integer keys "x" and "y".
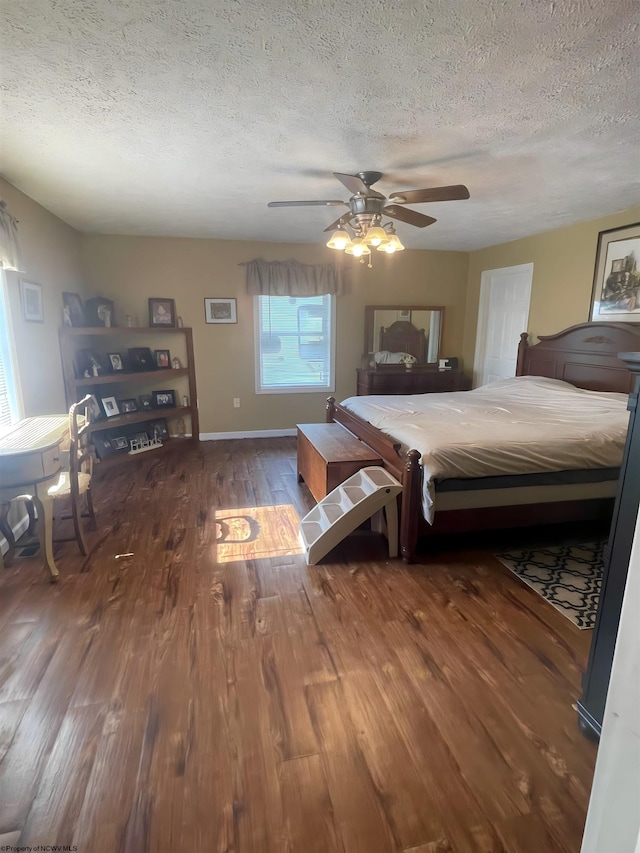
{"x": 131, "y": 269}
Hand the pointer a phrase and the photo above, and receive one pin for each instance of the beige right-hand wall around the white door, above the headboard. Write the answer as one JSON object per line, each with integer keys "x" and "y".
{"x": 563, "y": 264}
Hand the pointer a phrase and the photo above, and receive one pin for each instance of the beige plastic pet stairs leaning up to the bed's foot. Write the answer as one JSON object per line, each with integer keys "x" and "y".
{"x": 367, "y": 492}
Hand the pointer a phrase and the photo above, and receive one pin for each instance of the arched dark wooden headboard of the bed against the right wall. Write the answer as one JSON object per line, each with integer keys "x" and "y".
{"x": 585, "y": 355}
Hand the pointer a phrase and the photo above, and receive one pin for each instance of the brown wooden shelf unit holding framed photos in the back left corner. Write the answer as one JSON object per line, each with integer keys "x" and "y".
{"x": 102, "y": 340}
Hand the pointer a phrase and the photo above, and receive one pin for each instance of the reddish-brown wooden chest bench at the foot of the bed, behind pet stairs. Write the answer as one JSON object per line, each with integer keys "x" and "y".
{"x": 328, "y": 454}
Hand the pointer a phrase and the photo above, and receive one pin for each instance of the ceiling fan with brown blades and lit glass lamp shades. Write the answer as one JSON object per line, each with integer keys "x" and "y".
{"x": 367, "y": 207}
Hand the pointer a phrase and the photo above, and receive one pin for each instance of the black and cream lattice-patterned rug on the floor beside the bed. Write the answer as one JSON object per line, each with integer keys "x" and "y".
{"x": 568, "y": 576}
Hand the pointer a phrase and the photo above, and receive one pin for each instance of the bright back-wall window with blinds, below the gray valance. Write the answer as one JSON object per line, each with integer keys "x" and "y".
{"x": 294, "y": 344}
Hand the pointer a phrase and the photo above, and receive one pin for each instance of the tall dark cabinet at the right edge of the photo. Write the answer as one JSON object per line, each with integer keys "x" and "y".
{"x": 595, "y": 682}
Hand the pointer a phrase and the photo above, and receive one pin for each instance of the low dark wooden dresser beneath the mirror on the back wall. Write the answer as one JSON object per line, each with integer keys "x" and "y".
{"x": 396, "y": 379}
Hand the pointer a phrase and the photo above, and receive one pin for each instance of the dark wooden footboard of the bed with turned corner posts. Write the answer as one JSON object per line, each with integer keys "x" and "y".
{"x": 405, "y": 467}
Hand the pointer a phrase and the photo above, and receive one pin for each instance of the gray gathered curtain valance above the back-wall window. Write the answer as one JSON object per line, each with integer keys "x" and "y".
{"x": 291, "y": 278}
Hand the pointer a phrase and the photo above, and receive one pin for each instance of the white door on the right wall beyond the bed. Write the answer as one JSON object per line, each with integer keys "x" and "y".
{"x": 503, "y": 315}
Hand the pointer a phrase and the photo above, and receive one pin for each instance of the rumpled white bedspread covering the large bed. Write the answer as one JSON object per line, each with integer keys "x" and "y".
{"x": 523, "y": 425}
